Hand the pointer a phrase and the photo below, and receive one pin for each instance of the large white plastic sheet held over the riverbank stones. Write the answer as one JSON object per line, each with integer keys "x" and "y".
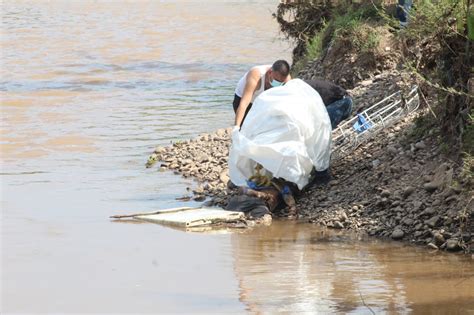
{"x": 287, "y": 131}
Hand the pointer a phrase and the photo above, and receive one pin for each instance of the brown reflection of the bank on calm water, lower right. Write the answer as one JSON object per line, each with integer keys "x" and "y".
{"x": 297, "y": 268}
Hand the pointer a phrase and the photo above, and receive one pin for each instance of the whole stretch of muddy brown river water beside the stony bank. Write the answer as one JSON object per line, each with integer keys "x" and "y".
{"x": 88, "y": 89}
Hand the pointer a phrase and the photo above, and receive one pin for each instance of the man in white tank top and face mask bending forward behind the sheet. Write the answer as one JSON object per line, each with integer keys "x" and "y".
{"x": 254, "y": 82}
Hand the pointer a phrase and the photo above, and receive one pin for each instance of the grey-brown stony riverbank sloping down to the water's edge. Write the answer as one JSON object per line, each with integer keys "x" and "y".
{"x": 394, "y": 186}
